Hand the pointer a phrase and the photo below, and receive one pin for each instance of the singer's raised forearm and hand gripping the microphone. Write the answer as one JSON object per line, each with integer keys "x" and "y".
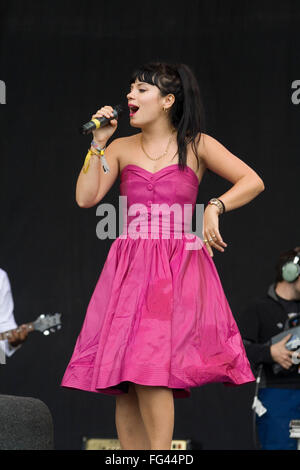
{"x": 92, "y": 186}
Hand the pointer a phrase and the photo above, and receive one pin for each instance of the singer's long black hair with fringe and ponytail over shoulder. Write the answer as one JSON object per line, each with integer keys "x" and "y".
{"x": 187, "y": 113}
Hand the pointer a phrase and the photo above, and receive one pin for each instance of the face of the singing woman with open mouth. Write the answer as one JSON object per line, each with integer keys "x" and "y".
{"x": 149, "y": 102}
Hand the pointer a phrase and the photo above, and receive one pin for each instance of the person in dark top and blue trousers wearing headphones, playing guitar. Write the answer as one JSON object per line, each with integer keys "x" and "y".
{"x": 263, "y": 318}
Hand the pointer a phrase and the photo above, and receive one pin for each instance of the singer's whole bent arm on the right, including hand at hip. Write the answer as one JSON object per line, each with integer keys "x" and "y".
{"x": 246, "y": 186}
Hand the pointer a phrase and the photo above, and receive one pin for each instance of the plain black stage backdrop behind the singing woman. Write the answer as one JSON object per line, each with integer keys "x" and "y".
{"x": 60, "y": 62}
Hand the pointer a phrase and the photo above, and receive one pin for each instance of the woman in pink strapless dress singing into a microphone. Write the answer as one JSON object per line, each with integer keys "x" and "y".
{"x": 151, "y": 286}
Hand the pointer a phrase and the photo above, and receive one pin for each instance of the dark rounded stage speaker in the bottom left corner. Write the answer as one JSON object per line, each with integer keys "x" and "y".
{"x": 25, "y": 424}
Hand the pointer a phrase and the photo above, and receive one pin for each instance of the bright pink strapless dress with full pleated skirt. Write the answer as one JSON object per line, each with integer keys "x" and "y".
{"x": 158, "y": 315}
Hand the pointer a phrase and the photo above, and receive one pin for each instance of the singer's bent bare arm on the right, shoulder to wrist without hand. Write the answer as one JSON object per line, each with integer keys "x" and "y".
{"x": 246, "y": 182}
